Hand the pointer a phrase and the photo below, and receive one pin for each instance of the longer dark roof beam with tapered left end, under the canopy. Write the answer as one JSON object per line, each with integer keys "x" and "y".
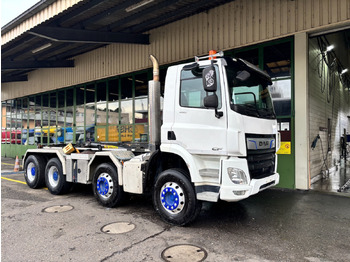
{"x": 60, "y": 34}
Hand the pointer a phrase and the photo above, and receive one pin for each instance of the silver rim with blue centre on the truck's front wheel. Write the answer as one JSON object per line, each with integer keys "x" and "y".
{"x": 172, "y": 197}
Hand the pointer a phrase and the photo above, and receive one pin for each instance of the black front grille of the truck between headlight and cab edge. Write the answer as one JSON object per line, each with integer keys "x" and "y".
{"x": 261, "y": 163}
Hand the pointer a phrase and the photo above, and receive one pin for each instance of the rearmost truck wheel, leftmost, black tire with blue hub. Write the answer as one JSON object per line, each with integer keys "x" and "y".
{"x": 34, "y": 171}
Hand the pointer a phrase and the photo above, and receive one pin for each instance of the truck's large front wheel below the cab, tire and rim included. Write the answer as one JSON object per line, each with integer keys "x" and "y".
{"x": 174, "y": 198}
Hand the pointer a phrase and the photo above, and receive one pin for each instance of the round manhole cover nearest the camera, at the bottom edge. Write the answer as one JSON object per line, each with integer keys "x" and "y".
{"x": 184, "y": 253}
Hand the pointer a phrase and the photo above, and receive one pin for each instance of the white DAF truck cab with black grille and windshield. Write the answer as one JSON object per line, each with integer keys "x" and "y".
{"x": 229, "y": 145}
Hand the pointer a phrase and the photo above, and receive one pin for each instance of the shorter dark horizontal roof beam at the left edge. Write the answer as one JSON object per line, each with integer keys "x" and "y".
{"x": 11, "y": 65}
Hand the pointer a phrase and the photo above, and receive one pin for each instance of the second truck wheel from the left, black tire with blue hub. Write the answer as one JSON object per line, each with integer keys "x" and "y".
{"x": 54, "y": 178}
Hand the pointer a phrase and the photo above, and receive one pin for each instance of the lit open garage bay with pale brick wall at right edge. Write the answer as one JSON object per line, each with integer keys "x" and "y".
{"x": 329, "y": 96}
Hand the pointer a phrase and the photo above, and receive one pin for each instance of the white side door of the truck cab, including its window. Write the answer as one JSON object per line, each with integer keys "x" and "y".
{"x": 196, "y": 128}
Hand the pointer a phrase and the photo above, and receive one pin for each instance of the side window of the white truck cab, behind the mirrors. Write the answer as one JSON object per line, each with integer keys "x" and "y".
{"x": 192, "y": 91}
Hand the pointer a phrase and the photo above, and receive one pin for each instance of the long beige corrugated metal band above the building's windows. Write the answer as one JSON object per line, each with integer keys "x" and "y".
{"x": 240, "y": 23}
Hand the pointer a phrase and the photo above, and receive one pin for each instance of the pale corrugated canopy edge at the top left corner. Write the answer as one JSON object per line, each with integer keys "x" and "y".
{"x": 52, "y": 10}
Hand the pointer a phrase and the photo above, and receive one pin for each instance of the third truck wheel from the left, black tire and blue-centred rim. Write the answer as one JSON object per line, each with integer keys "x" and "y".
{"x": 105, "y": 186}
